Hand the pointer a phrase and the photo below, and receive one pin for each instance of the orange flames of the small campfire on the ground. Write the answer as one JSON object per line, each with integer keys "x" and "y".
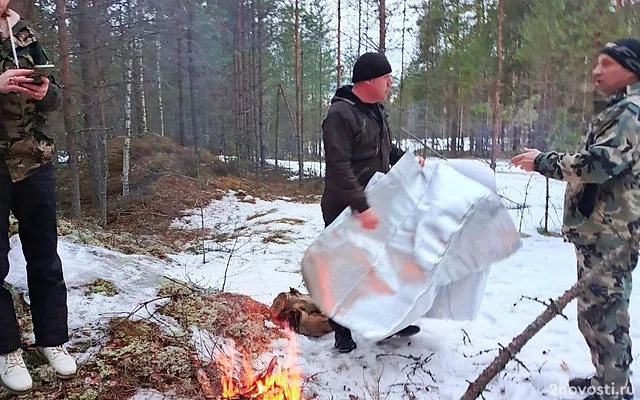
{"x": 275, "y": 382}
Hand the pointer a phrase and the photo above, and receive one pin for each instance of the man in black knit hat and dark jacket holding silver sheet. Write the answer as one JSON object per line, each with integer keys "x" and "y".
{"x": 357, "y": 144}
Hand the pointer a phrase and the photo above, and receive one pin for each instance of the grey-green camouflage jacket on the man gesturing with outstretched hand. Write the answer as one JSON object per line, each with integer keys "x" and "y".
{"x": 602, "y": 200}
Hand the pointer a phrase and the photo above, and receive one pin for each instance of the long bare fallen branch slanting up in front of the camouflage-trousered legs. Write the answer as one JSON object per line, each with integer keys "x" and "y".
{"x": 554, "y": 308}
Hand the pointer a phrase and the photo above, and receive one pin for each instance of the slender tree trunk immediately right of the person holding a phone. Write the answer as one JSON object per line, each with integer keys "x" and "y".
{"x": 67, "y": 107}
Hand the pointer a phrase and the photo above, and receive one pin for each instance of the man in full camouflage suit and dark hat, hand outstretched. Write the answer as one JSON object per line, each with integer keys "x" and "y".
{"x": 602, "y": 216}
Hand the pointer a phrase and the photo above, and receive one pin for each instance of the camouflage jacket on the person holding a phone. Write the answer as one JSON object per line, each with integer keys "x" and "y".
{"x": 26, "y": 142}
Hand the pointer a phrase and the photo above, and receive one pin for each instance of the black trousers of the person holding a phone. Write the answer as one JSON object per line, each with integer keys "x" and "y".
{"x": 33, "y": 202}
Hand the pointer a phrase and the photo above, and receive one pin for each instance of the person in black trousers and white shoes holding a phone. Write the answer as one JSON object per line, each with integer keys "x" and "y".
{"x": 27, "y": 188}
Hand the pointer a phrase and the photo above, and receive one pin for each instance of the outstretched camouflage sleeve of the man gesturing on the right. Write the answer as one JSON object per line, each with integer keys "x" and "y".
{"x": 611, "y": 153}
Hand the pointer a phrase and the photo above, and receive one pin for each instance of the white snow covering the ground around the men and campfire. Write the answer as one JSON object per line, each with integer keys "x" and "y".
{"x": 263, "y": 260}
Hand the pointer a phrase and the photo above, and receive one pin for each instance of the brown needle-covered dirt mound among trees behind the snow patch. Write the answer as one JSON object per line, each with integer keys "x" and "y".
{"x": 166, "y": 179}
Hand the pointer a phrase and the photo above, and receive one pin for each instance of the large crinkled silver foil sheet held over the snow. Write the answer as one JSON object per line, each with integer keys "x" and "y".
{"x": 441, "y": 228}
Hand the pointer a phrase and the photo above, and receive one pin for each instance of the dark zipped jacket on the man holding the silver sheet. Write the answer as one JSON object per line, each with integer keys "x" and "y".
{"x": 357, "y": 144}
